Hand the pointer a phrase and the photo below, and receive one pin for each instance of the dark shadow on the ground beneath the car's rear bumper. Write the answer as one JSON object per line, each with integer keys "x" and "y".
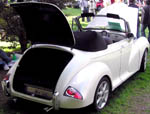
{"x": 27, "y": 107}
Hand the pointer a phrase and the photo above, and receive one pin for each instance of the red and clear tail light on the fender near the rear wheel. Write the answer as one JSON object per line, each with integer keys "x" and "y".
{"x": 72, "y": 92}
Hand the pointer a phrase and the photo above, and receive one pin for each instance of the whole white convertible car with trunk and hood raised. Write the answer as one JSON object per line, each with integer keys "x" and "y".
{"x": 66, "y": 69}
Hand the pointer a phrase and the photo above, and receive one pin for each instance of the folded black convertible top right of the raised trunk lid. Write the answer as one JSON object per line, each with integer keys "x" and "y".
{"x": 89, "y": 41}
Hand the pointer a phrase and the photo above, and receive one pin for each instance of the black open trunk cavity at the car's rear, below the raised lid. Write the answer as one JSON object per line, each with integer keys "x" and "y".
{"x": 39, "y": 70}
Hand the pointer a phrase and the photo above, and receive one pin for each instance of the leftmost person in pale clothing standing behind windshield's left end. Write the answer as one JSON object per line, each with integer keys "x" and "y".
{"x": 84, "y": 8}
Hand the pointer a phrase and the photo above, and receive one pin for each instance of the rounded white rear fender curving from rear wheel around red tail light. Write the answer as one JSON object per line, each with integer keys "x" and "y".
{"x": 85, "y": 85}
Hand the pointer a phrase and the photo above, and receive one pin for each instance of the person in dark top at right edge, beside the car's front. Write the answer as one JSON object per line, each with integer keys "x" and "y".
{"x": 145, "y": 19}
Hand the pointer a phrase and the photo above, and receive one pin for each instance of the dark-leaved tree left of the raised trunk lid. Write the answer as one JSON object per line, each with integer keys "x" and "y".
{"x": 12, "y": 26}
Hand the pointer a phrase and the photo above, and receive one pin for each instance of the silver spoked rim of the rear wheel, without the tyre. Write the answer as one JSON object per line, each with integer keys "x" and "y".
{"x": 102, "y": 94}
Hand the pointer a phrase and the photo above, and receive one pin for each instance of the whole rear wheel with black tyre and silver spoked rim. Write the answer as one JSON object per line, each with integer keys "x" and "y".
{"x": 102, "y": 94}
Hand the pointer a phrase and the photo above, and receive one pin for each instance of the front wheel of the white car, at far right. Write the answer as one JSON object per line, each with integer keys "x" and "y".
{"x": 144, "y": 61}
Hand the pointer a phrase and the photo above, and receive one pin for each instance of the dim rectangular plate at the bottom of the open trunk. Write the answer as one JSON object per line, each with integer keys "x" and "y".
{"x": 38, "y": 91}
